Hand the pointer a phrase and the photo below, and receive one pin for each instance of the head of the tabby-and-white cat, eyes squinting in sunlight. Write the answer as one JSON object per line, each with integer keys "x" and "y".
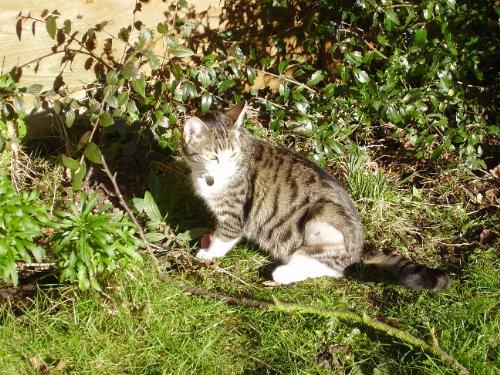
{"x": 215, "y": 138}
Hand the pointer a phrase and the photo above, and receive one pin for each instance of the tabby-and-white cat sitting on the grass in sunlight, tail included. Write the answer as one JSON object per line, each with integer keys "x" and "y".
{"x": 283, "y": 202}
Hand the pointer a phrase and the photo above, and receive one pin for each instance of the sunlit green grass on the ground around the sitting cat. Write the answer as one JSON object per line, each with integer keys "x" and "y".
{"x": 140, "y": 325}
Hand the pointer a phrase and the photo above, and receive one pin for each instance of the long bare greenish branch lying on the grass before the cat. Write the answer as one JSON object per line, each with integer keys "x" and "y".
{"x": 348, "y": 316}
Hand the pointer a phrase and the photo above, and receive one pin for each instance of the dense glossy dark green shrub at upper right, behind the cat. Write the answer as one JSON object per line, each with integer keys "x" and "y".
{"x": 422, "y": 73}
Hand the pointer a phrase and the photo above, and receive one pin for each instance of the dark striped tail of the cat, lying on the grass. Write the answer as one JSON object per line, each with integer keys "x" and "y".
{"x": 412, "y": 275}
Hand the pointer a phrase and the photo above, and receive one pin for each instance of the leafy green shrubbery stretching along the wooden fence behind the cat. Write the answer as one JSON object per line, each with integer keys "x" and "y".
{"x": 421, "y": 75}
